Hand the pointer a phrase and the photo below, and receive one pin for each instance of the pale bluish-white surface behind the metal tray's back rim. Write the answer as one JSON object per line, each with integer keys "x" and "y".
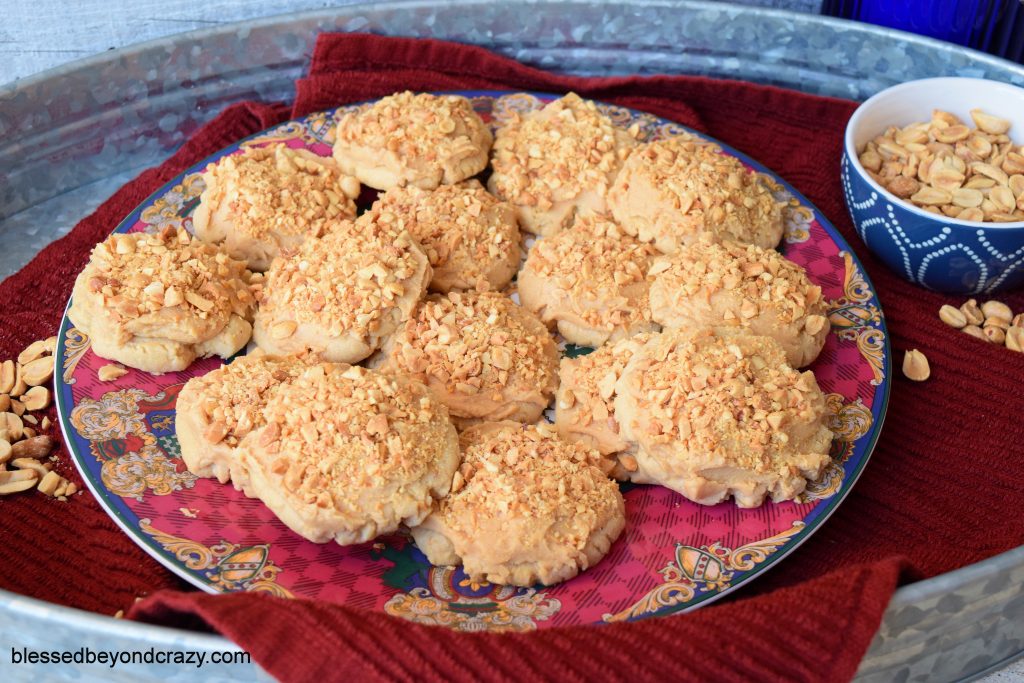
{"x": 36, "y": 35}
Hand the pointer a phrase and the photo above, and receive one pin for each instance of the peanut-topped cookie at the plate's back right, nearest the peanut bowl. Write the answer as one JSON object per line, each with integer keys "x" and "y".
{"x": 673, "y": 191}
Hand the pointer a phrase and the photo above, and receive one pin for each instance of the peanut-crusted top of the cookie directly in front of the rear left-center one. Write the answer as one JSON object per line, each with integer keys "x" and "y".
{"x": 471, "y": 237}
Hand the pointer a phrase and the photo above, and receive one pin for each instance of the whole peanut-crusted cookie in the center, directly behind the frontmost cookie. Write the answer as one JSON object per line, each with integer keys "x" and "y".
{"x": 481, "y": 355}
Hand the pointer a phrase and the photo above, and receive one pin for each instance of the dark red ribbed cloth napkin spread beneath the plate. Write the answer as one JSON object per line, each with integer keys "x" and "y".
{"x": 943, "y": 489}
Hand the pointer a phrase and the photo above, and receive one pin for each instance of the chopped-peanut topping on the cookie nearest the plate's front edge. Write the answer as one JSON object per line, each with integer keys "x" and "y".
{"x": 528, "y": 473}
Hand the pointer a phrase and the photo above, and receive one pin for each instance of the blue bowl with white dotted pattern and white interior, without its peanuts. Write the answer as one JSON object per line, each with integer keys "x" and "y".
{"x": 937, "y": 252}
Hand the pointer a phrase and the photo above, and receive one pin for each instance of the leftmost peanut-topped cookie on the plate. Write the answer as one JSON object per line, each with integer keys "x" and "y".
{"x": 157, "y": 303}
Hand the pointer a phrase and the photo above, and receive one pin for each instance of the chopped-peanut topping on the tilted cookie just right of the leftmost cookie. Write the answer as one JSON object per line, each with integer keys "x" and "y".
{"x": 348, "y": 282}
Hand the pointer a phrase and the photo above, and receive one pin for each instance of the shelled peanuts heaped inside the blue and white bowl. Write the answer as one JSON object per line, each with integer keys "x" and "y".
{"x": 947, "y": 167}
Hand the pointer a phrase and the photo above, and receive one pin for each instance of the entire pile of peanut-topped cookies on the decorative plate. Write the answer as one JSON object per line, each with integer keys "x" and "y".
{"x": 661, "y": 257}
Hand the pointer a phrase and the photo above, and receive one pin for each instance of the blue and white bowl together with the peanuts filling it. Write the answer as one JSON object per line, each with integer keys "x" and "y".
{"x": 941, "y": 214}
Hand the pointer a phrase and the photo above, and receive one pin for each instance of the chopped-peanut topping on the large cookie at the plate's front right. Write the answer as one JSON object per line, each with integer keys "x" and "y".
{"x": 731, "y": 398}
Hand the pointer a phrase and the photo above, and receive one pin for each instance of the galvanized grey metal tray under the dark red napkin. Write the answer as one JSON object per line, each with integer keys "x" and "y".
{"x": 131, "y": 109}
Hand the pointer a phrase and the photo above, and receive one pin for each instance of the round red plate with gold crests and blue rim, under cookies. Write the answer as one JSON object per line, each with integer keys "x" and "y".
{"x": 673, "y": 557}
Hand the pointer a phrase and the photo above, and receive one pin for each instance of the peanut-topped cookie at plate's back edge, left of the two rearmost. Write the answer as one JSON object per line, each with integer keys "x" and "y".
{"x": 413, "y": 140}
